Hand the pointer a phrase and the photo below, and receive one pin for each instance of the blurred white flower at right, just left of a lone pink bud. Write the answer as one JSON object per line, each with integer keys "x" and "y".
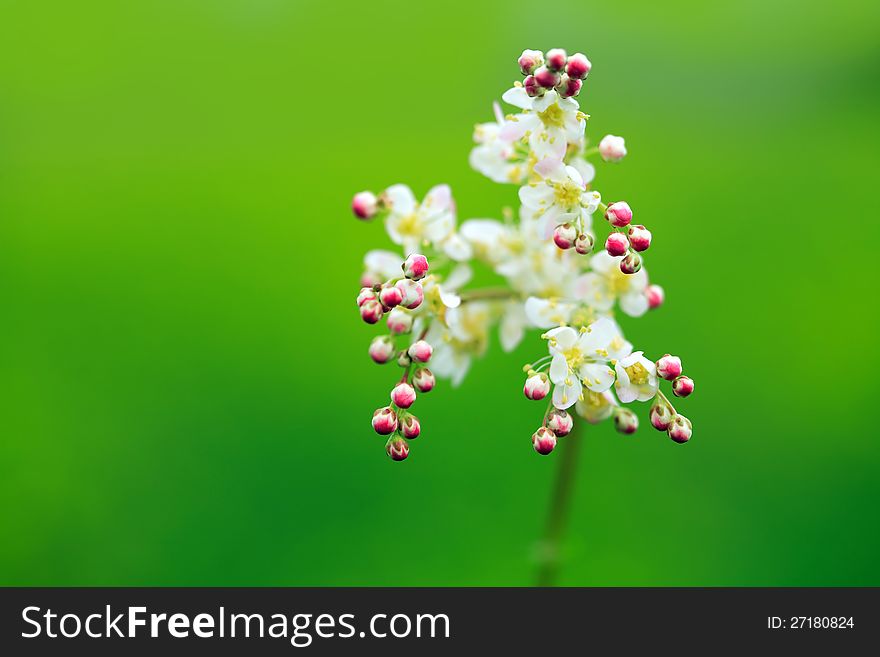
{"x": 606, "y": 283}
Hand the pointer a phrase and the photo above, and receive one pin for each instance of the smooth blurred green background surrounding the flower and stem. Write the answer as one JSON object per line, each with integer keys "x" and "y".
{"x": 184, "y": 388}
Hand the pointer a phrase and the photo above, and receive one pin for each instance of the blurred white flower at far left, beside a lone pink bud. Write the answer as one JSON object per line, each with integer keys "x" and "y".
{"x": 411, "y": 224}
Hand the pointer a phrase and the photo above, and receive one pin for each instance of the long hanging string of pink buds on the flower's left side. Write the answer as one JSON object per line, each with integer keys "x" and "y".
{"x": 393, "y": 297}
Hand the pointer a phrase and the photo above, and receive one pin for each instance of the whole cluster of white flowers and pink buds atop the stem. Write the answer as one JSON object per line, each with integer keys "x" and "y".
{"x": 554, "y": 278}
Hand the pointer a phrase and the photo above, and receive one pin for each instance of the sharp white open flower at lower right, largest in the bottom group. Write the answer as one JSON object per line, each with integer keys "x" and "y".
{"x": 580, "y": 360}
